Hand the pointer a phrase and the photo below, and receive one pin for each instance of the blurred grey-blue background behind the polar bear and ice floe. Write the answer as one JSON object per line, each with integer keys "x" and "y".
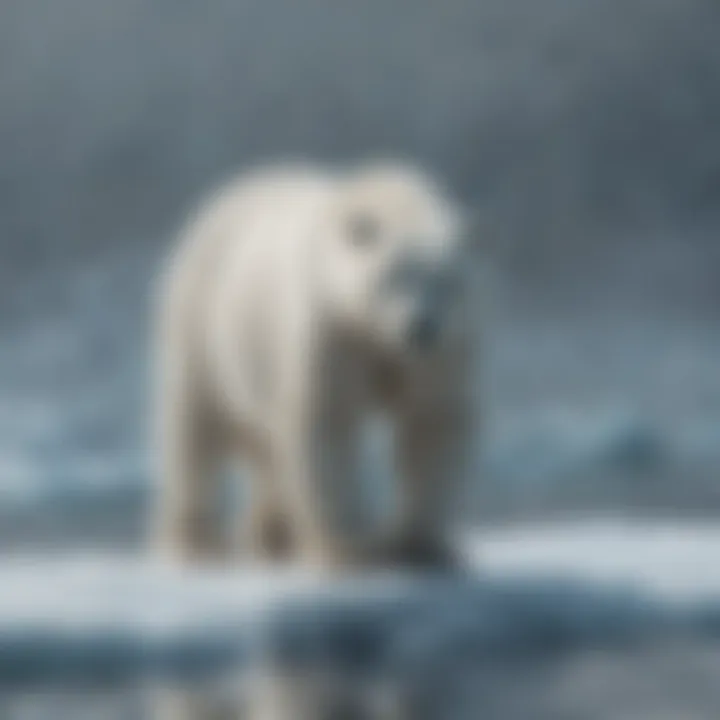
{"x": 588, "y": 130}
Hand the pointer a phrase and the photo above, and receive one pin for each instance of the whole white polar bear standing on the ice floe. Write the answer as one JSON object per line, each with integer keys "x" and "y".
{"x": 299, "y": 300}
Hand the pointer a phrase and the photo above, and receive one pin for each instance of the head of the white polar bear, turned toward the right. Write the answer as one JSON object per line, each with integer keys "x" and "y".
{"x": 395, "y": 260}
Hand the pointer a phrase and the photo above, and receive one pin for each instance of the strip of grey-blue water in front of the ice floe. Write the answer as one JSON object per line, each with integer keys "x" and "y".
{"x": 676, "y": 681}
